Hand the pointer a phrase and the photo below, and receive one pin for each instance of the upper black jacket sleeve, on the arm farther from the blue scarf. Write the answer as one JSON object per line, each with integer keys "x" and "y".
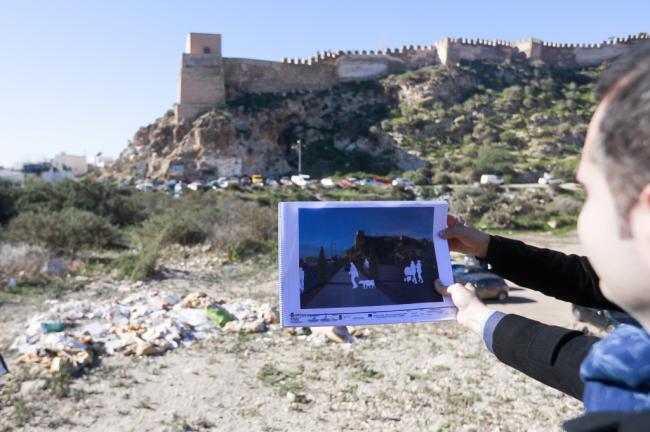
{"x": 565, "y": 277}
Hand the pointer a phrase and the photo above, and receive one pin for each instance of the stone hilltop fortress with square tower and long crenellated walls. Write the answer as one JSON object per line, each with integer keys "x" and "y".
{"x": 208, "y": 80}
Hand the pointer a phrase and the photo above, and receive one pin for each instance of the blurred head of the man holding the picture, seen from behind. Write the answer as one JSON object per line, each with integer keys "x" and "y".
{"x": 614, "y": 225}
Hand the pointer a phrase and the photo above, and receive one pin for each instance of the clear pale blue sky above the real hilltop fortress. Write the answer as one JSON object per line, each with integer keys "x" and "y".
{"x": 82, "y": 76}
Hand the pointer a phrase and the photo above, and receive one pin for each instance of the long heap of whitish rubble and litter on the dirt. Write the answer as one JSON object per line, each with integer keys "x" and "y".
{"x": 70, "y": 334}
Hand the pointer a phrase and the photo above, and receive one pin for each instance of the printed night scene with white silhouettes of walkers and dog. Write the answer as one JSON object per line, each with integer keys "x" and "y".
{"x": 366, "y": 256}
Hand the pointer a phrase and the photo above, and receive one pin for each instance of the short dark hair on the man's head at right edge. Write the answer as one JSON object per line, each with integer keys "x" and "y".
{"x": 625, "y": 145}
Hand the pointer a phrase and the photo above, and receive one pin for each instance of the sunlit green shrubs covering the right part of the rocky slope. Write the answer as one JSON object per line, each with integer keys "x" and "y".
{"x": 511, "y": 118}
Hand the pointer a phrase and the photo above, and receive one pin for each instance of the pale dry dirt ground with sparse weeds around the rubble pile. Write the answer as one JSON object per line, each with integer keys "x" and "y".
{"x": 399, "y": 377}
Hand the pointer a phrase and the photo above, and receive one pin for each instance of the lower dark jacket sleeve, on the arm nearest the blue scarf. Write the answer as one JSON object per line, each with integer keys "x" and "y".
{"x": 549, "y": 354}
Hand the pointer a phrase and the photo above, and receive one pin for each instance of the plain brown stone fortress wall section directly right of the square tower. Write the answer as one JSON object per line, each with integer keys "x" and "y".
{"x": 262, "y": 76}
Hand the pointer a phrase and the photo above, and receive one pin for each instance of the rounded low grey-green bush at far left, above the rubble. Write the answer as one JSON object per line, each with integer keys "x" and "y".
{"x": 67, "y": 231}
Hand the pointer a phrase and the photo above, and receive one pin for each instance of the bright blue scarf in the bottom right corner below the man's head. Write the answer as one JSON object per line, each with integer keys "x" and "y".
{"x": 616, "y": 371}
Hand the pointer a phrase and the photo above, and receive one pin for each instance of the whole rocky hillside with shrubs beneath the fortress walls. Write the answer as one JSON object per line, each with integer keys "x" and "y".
{"x": 514, "y": 118}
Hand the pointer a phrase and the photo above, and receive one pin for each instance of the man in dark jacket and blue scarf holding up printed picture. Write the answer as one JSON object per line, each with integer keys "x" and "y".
{"x": 611, "y": 376}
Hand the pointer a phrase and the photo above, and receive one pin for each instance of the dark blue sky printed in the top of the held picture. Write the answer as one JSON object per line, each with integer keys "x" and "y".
{"x": 335, "y": 228}
